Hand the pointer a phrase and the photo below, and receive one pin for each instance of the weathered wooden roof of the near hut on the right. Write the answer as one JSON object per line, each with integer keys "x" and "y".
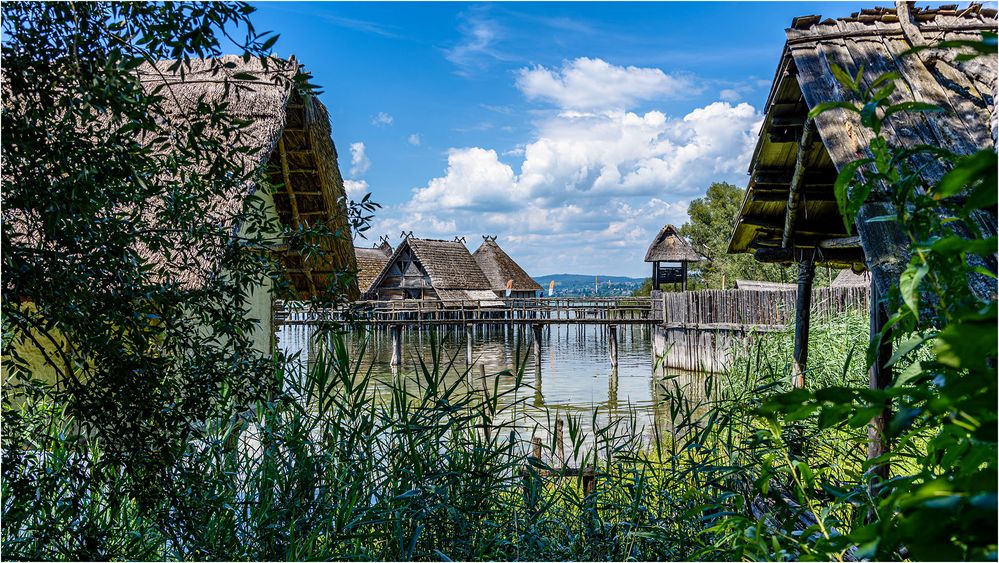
{"x": 874, "y": 39}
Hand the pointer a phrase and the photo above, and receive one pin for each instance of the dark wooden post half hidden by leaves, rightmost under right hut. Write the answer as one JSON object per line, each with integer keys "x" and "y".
{"x": 880, "y": 377}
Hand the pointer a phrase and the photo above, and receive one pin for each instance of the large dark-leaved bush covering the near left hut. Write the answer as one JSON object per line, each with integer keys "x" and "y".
{"x": 129, "y": 249}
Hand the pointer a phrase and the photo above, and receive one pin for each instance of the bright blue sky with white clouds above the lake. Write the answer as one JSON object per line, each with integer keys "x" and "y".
{"x": 572, "y": 131}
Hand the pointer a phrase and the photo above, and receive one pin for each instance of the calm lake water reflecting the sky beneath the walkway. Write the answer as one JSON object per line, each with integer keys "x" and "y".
{"x": 574, "y": 376}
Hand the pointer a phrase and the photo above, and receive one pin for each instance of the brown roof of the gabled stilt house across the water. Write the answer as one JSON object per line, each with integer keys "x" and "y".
{"x": 448, "y": 264}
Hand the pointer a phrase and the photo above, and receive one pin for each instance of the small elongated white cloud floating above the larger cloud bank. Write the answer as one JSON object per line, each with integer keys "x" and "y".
{"x": 588, "y": 84}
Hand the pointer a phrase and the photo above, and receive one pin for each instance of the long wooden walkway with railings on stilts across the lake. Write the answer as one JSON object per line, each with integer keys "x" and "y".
{"x": 538, "y": 311}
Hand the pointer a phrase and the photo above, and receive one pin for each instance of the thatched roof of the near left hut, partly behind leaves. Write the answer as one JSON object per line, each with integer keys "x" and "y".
{"x": 289, "y": 134}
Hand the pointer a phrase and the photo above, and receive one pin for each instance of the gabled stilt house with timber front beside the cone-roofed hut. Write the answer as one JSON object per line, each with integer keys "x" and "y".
{"x": 433, "y": 269}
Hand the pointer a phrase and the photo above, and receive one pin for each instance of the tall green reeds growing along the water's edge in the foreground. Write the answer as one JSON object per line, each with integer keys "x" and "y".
{"x": 445, "y": 470}
